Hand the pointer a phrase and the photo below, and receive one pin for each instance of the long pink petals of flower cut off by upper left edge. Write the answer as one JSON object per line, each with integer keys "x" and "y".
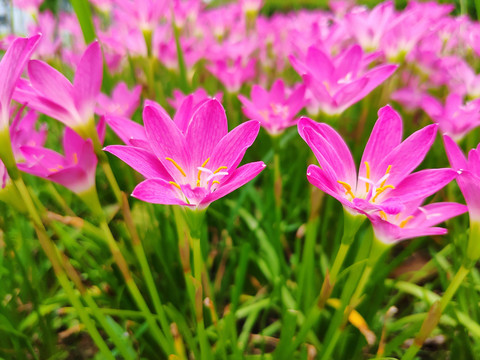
{"x": 11, "y": 67}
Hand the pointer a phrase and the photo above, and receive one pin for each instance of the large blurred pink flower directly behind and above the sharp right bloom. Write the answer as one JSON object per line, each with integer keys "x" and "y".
{"x": 341, "y": 81}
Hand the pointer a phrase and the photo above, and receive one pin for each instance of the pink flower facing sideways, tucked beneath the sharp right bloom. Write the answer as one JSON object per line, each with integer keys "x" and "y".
{"x": 414, "y": 221}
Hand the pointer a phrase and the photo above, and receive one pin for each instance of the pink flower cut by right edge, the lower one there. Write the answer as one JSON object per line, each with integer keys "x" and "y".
{"x": 469, "y": 175}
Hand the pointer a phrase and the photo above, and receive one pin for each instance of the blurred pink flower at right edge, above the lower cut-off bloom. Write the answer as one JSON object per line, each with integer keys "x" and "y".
{"x": 454, "y": 119}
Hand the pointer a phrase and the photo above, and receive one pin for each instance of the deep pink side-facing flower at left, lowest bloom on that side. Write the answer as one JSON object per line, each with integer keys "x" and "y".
{"x": 75, "y": 170}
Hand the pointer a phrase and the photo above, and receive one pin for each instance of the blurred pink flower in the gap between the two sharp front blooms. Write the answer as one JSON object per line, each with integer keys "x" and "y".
{"x": 273, "y": 108}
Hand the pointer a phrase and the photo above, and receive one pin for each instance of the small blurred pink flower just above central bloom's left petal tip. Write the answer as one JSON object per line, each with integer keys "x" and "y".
{"x": 123, "y": 101}
